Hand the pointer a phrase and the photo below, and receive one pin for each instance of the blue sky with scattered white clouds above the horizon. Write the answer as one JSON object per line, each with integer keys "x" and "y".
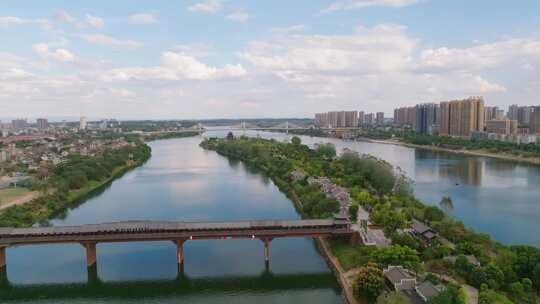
{"x": 247, "y": 59}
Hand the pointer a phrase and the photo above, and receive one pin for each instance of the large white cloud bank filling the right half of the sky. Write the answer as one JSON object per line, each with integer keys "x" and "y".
{"x": 383, "y": 67}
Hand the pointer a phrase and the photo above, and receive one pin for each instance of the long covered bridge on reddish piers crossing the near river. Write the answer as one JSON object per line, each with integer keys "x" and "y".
{"x": 177, "y": 232}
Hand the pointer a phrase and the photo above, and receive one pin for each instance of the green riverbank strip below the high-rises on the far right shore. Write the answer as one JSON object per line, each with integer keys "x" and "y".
{"x": 481, "y": 153}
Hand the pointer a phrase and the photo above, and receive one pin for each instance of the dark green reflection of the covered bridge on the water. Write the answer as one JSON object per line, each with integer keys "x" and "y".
{"x": 181, "y": 285}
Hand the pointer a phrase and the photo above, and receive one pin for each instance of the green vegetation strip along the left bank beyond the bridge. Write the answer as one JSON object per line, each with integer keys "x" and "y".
{"x": 72, "y": 180}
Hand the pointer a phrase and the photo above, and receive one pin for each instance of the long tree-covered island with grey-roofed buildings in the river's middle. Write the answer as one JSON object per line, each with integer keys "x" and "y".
{"x": 449, "y": 262}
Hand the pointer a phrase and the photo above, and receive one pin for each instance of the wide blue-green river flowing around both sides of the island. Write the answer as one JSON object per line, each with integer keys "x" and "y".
{"x": 184, "y": 182}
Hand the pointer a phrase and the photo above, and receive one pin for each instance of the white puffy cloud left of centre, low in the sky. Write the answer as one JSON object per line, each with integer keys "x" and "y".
{"x": 175, "y": 66}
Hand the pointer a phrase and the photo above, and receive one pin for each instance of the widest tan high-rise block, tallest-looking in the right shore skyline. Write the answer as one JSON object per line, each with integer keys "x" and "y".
{"x": 462, "y": 117}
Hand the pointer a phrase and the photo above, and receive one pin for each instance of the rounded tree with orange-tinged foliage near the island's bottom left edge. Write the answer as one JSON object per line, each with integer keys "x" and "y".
{"x": 369, "y": 282}
